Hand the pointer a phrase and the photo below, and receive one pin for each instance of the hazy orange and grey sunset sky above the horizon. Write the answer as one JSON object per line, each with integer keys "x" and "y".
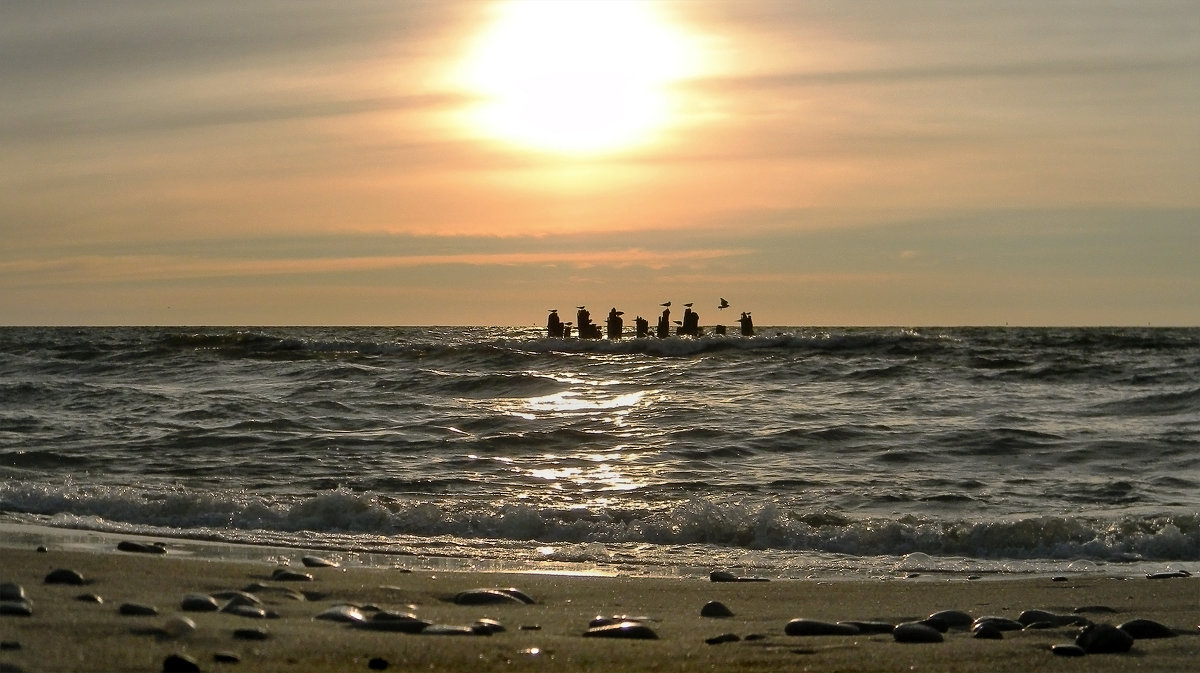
{"x": 295, "y": 163}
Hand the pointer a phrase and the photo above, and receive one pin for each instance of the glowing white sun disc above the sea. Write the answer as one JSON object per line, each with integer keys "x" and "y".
{"x": 575, "y": 77}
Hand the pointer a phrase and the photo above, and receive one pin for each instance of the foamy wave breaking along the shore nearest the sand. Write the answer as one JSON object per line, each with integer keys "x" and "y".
{"x": 746, "y": 526}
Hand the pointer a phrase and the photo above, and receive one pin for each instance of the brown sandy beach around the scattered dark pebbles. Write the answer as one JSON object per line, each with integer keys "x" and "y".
{"x": 65, "y": 634}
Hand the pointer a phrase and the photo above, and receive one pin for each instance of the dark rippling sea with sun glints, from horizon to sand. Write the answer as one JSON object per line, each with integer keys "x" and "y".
{"x": 800, "y": 452}
